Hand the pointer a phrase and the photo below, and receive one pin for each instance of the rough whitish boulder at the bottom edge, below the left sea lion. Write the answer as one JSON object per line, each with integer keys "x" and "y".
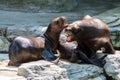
{"x": 42, "y": 71}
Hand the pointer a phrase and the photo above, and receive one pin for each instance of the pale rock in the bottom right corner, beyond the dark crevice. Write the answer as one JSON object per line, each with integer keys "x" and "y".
{"x": 112, "y": 67}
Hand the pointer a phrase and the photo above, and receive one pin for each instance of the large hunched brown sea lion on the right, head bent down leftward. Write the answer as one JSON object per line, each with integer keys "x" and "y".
{"x": 91, "y": 34}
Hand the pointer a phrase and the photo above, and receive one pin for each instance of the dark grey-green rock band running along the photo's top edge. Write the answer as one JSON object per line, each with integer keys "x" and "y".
{"x": 83, "y": 6}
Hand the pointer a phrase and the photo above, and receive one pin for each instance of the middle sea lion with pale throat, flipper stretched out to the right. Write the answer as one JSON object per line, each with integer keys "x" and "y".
{"x": 68, "y": 51}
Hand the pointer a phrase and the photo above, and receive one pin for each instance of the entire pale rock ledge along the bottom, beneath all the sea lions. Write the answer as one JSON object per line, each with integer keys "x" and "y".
{"x": 64, "y": 70}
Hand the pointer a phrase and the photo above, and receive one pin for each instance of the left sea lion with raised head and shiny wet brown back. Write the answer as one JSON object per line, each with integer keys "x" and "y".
{"x": 24, "y": 49}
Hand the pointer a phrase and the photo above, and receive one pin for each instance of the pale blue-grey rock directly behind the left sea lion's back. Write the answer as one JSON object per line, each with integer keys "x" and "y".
{"x": 32, "y": 31}
